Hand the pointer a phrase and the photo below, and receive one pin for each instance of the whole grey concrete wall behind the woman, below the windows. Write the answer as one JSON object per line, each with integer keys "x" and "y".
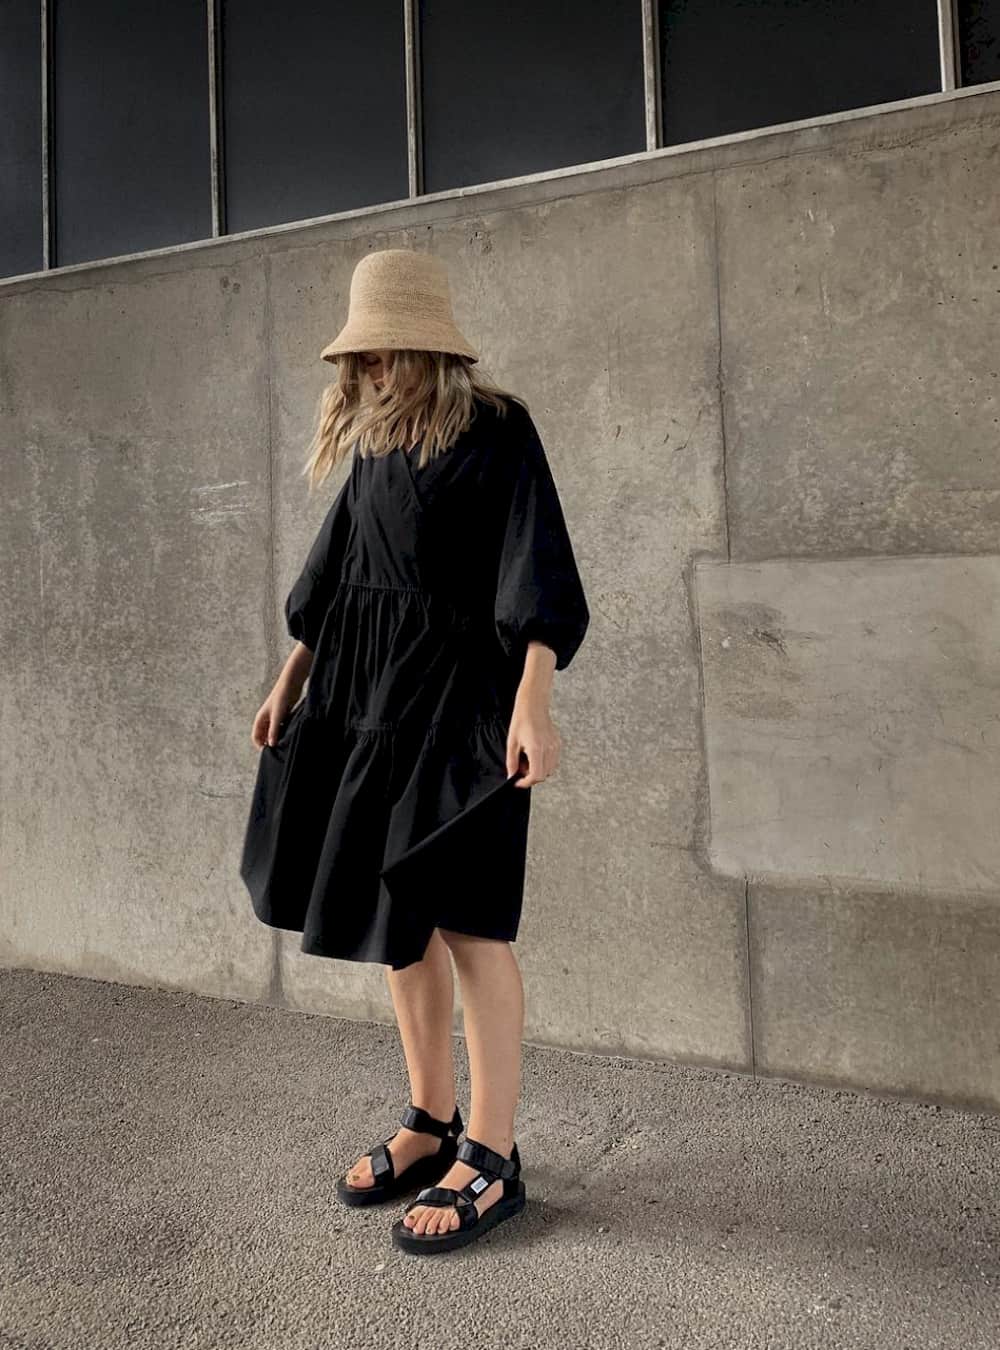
{"x": 767, "y": 377}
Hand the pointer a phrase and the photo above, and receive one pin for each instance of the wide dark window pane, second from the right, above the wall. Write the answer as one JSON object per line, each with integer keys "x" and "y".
{"x": 736, "y": 65}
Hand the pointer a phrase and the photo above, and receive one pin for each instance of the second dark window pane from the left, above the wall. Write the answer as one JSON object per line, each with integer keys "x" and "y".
{"x": 132, "y": 153}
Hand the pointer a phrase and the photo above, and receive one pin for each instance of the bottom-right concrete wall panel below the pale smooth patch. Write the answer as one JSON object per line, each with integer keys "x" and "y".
{"x": 897, "y": 992}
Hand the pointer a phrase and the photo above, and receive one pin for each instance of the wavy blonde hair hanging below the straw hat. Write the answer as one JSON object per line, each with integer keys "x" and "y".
{"x": 426, "y": 396}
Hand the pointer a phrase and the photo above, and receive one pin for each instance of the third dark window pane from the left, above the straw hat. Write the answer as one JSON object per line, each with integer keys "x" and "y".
{"x": 315, "y": 110}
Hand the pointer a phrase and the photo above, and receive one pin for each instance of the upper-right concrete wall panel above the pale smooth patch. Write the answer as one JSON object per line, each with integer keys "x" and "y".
{"x": 860, "y": 298}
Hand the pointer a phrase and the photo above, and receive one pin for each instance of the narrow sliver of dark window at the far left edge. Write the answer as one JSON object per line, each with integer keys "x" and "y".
{"x": 21, "y": 138}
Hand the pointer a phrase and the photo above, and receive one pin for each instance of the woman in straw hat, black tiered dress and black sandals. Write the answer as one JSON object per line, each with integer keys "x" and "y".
{"x": 391, "y": 816}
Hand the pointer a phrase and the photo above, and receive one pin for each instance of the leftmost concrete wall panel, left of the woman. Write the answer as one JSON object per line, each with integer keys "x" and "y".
{"x": 134, "y": 561}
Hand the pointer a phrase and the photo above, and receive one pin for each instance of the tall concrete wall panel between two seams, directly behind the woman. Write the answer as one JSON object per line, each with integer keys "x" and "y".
{"x": 628, "y": 354}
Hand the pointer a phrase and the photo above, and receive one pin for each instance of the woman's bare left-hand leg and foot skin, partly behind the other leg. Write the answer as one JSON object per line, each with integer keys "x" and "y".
{"x": 424, "y": 1002}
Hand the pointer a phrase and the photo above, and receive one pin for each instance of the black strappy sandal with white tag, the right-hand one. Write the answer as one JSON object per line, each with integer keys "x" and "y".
{"x": 493, "y": 1167}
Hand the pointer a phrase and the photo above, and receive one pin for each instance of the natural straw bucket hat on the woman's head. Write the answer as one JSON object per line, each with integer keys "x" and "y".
{"x": 400, "y": 299}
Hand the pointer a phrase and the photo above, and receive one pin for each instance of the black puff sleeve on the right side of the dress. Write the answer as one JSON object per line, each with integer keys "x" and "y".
{"x": 539, "y": 589}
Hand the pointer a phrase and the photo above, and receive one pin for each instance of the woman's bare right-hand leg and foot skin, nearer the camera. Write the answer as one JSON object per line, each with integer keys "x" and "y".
{"x": 493, "y": 1001}
